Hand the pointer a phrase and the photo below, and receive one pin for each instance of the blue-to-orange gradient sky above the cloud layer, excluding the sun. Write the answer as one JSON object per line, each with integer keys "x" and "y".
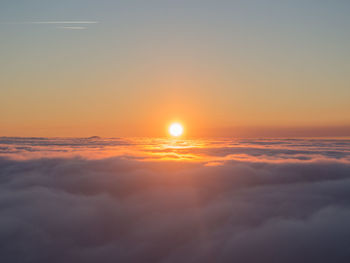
{"x": 129, "y": 68}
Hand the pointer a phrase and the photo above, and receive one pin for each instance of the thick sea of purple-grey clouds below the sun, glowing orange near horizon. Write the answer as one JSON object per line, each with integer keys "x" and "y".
{"x": 141, "y": 200}
